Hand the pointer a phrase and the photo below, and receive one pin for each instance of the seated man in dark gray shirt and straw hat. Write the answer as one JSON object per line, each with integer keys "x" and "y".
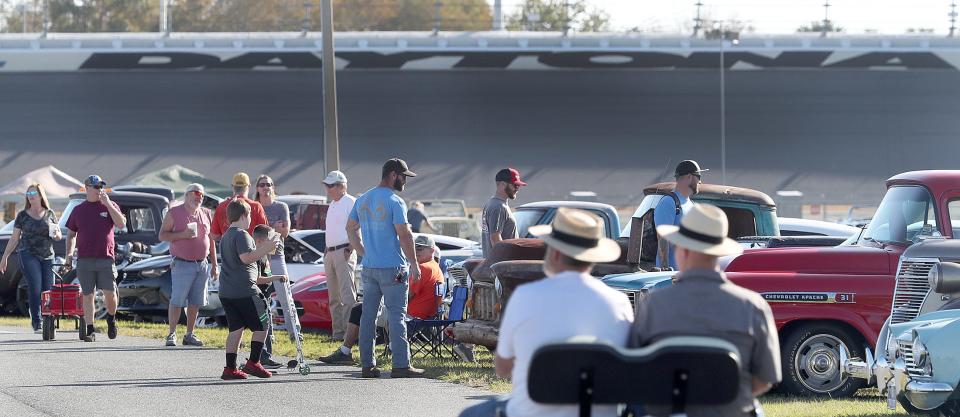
{"x": 702, "y": 302}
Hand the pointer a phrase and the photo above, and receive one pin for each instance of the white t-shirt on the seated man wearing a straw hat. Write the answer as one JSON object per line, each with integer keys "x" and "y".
{"x": 554, "y": 310}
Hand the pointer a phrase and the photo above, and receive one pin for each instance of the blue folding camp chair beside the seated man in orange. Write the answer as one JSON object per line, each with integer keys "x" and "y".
{"x": 427, "y": 337}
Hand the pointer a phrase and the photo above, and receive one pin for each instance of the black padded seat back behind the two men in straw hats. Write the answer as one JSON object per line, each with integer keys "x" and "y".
{"x": 674, "y": 372}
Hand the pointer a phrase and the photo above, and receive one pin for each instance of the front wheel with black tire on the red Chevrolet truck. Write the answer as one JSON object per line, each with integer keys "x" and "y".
{"x": 810, "y": 358}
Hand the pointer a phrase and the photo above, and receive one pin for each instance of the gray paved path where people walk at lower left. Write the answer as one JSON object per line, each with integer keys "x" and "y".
{"x": 137, "y": 377}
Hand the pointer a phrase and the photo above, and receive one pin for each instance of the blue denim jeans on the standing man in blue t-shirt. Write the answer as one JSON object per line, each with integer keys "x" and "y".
{"x": 383, "y": 283}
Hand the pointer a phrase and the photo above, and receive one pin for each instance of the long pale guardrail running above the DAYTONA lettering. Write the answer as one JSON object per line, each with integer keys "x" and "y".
{"x": 454, "y": 41}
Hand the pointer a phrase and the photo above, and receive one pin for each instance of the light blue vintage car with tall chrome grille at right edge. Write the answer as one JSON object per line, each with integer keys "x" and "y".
{"x": 917, "y": 362}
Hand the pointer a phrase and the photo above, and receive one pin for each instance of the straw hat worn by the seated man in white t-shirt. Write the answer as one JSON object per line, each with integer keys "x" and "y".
{"x": 579, "y": 235}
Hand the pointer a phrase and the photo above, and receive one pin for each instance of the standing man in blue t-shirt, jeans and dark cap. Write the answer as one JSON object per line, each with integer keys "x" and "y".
{"x": 378, "y": 230}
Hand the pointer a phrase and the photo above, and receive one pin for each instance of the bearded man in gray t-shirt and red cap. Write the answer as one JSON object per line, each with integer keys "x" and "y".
{"x": 497, "y": 222}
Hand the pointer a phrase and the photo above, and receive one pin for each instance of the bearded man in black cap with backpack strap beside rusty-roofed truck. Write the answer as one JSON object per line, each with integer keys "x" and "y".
{"x": 670, "y": 210}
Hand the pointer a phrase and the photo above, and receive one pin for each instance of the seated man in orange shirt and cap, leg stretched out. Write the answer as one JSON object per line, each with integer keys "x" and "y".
{"x": 424, "y": 299}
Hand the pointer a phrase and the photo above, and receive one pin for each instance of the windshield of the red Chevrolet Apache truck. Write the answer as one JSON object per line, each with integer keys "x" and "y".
{"x": 904, "y": 215}
